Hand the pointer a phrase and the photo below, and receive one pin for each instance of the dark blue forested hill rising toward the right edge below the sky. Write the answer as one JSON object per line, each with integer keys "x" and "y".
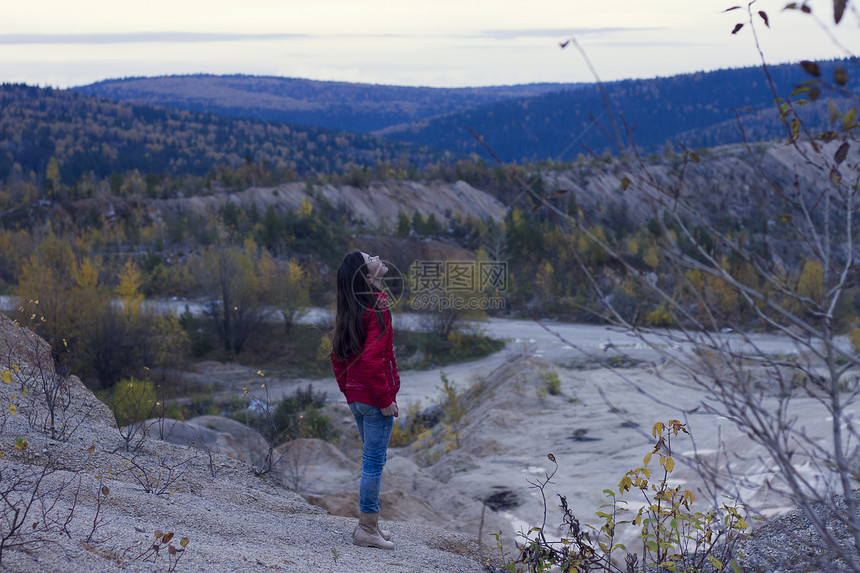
{"x": 696, "y": 110}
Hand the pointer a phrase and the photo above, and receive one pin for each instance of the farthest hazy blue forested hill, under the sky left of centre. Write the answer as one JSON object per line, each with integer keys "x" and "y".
{"x": 347, "y": 106}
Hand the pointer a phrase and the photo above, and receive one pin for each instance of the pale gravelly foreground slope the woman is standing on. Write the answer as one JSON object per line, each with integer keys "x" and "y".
{"x": 84, "y": 502}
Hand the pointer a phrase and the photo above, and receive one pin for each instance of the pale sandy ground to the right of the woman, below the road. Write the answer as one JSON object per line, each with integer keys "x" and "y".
{"x": 597, "y": 429}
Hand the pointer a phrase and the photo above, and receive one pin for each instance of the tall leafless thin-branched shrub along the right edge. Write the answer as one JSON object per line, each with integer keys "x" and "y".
{"x": 717, "y": 279}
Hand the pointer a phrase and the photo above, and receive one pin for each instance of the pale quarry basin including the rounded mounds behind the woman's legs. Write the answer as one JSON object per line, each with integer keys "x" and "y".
{"x": 512, "y": 426}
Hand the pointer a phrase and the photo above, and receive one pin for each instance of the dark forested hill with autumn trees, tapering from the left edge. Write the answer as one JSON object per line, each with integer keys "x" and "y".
{"x": 51, "y": 138}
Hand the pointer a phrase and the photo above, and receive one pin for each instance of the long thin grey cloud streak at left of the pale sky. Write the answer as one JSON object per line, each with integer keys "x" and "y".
{"x": 138, "y": 37}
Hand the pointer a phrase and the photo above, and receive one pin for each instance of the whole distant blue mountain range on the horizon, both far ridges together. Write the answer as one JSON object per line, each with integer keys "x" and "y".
{"x": 520, "y": 123}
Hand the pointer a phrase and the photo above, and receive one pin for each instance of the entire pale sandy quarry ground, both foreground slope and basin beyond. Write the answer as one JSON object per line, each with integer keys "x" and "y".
{"x": 436, "y": 499}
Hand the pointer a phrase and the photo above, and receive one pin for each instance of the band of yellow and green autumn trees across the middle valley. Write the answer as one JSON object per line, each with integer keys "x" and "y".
{"x": 245, "y": 263}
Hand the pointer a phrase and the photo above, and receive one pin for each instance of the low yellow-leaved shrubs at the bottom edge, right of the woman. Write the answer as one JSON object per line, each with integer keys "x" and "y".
{"x": 674, "y": 536}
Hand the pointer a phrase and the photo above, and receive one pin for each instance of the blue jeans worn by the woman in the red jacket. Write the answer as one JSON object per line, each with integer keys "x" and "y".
{"x": 375, "y": 432}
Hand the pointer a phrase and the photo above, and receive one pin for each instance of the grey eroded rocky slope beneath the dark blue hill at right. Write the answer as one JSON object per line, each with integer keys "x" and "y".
{"x": 736, "y": 183}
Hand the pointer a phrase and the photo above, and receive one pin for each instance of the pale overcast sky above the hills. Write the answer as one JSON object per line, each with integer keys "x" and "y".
{"x": 438, "y": 43}
